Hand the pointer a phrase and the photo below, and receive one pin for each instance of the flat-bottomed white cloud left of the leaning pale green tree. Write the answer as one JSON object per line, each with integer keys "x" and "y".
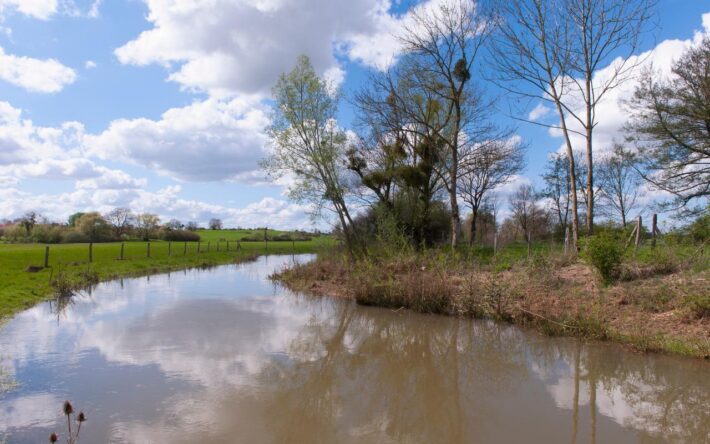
{"x": 211, "y": 140}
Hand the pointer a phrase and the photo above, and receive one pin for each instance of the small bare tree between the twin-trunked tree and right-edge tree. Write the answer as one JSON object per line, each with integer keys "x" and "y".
{"x": 620, "y": 182}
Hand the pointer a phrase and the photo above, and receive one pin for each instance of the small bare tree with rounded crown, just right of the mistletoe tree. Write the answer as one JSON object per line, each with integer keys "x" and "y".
{"x": 485, "y": 167}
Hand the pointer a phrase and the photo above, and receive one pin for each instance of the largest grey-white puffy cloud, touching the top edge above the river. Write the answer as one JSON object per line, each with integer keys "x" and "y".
{"x": 229, "y": 47}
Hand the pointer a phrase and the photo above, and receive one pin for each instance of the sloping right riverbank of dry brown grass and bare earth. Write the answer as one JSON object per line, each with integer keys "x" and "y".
{"x": 661, "y": 301}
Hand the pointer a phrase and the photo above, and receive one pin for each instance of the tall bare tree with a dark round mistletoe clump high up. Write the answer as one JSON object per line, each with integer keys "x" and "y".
{"x": 442, "y": 45}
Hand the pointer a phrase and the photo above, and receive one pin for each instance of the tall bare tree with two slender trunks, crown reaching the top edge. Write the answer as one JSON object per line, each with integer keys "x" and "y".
{"x": 552, "y": 49}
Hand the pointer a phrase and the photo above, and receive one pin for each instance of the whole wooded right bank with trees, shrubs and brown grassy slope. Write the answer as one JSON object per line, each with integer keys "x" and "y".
{"x": 426, "y": 147}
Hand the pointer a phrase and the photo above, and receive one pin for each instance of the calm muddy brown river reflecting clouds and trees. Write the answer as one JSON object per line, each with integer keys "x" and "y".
{"x": 224, "y": 355}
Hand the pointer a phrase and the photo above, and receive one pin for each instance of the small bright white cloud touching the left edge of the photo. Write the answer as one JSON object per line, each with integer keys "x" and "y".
{"x": 44, "y": 76}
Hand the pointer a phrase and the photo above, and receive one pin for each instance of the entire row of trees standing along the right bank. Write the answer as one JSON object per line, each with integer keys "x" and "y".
{"x": 425, "y": 142}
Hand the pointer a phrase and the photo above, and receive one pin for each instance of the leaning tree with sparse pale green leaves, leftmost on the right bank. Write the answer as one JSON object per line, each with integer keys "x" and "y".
{"x": 309, "y": 145}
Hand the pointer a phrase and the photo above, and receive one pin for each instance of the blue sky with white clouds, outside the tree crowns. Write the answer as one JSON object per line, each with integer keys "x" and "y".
{"x": 161, "y": 105}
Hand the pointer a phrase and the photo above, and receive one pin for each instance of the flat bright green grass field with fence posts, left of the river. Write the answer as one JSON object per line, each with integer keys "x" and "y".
{"x": 20, "y": 289}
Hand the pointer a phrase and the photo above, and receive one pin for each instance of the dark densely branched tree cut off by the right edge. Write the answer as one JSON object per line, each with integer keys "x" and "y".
{"x": 671, "y": 128}
